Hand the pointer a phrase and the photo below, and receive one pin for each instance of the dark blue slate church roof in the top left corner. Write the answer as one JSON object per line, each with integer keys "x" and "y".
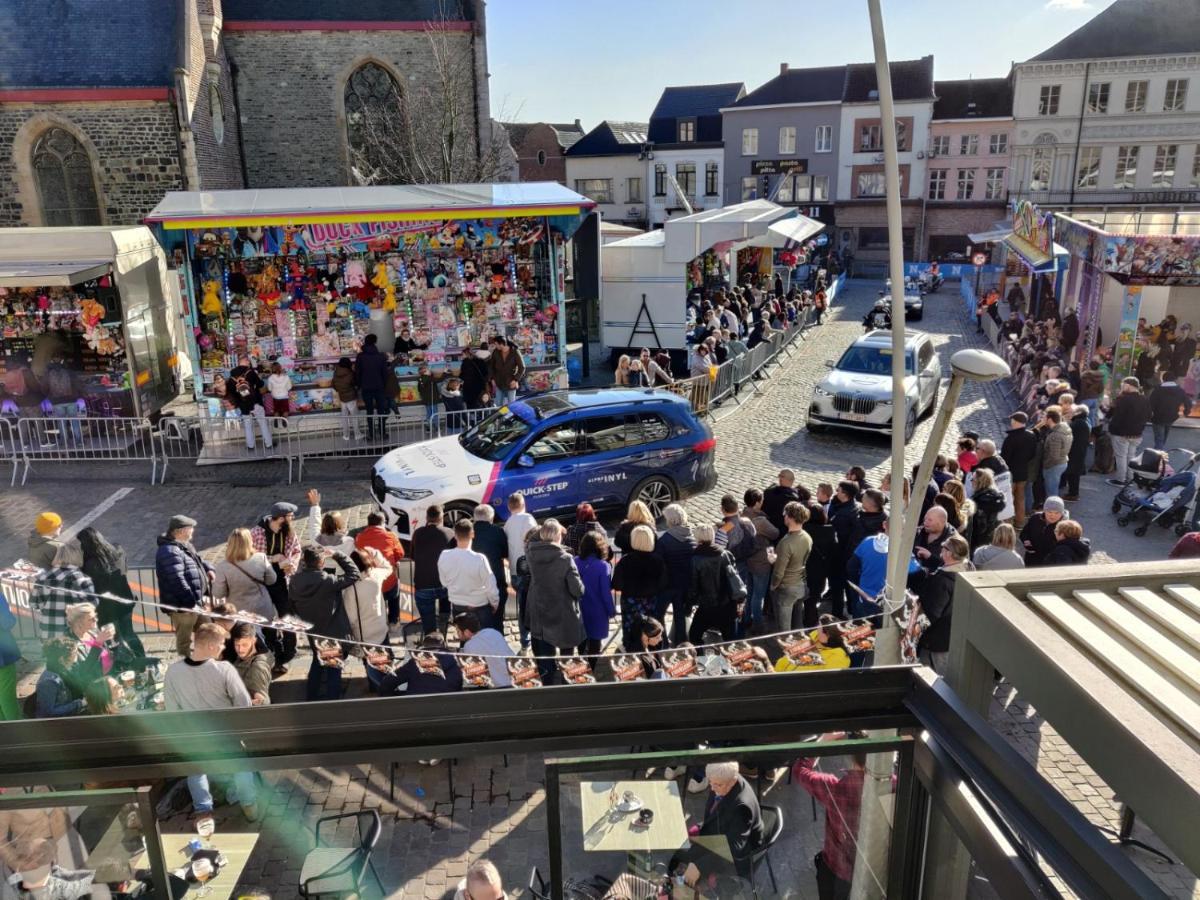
{"x": 87, "y": 44}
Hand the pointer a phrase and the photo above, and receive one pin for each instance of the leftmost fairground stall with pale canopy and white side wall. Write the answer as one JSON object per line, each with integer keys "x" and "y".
{"x": 85, "y": 326}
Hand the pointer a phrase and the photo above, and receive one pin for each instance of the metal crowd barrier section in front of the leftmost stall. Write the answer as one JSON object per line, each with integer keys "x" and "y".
{"x": 68, "y": 439}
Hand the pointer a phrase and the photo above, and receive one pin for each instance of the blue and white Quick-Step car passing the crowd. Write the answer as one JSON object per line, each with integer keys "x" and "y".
{"x": 604, "y": 447}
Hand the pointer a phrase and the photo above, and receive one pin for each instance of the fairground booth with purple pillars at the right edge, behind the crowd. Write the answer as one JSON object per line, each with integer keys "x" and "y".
{"x": 1119, "y": 280}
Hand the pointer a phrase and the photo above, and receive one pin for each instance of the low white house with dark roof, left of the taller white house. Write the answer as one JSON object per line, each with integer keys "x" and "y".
{"x": 608, "y": 165}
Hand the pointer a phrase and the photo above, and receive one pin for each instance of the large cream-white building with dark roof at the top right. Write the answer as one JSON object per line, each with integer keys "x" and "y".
{"x": 1108, "y": 121}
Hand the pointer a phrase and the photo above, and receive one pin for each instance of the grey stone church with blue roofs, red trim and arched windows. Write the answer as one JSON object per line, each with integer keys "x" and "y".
{"x": 105, "y": 107}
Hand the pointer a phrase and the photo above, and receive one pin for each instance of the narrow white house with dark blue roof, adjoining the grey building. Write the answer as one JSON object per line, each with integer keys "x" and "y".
{"x": 686, "y": 143}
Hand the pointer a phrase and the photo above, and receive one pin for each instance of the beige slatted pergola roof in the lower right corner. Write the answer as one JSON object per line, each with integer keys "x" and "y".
{"x": 1112, "y": 659}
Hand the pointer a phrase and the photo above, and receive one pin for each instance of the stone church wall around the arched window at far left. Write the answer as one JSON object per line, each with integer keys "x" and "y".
{"x": 134, "y": 149}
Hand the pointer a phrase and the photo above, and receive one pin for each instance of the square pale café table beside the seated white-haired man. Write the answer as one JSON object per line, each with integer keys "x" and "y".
{"x": 608, "y": 829}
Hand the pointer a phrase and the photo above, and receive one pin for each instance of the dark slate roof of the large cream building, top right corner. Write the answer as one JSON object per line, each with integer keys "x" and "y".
{"x": 1133, "y": 28}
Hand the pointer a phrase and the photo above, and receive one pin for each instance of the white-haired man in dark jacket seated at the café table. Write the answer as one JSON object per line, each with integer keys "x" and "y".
{"x": 731, "y": 813}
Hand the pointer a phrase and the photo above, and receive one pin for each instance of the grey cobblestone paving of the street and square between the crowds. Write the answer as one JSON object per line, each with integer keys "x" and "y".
{"x": 496, "y": 809}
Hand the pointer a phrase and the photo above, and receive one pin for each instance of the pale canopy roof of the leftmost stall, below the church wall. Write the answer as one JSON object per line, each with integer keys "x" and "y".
{"x": 50, "y": 257}
